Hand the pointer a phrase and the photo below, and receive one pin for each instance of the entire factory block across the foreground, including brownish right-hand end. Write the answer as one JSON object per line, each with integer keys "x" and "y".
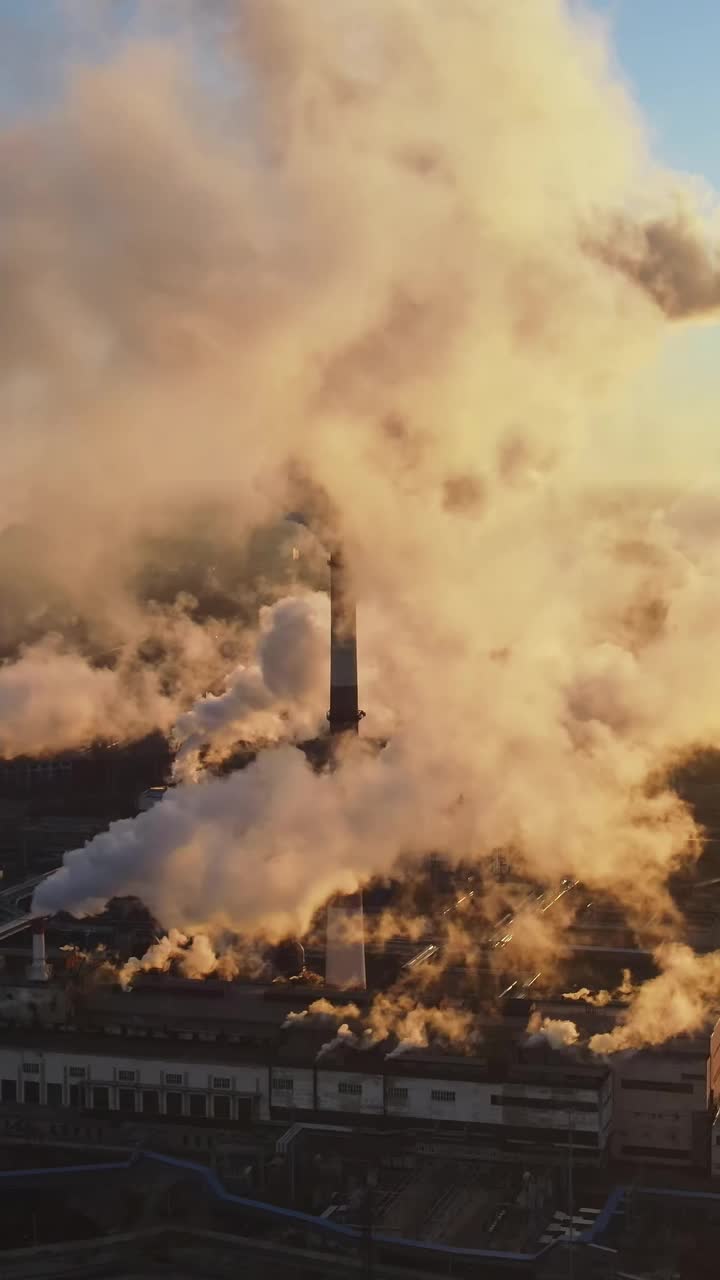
{"x": 222, "y": 1055}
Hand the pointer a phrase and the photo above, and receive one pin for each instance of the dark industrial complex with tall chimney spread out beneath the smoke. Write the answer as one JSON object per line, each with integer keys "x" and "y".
{"x": 496, "y": 1146}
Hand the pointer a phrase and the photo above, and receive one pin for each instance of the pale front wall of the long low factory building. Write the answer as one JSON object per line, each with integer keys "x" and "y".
{"x": 525, "y": 1108}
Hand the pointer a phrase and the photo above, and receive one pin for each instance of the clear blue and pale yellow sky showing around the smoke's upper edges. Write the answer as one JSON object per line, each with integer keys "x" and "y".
{"x": 667, "y": 51}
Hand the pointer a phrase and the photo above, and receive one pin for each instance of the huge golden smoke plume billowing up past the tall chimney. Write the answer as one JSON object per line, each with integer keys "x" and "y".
{"x": 309, "y": 264}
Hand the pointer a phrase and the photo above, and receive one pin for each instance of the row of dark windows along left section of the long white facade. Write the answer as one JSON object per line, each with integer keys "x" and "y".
{"x": 99, "y": 1098}
